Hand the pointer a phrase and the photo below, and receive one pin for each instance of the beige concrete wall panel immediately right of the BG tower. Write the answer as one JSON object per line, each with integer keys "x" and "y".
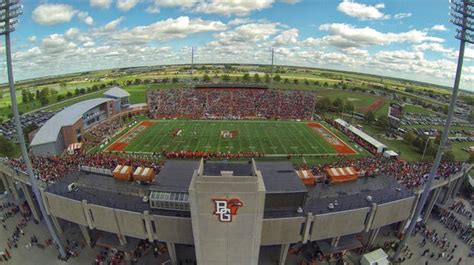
{"x": 282, "y": 230}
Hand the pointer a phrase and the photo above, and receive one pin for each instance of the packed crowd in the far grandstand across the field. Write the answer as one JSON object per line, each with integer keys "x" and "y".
{"x": 231, "y": 103}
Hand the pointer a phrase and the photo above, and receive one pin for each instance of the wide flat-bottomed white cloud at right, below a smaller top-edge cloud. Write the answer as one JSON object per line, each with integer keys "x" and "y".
{"x": 345, "y": 35}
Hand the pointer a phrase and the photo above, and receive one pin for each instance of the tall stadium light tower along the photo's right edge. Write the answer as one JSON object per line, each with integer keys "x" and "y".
{"x": 462, "y": 16}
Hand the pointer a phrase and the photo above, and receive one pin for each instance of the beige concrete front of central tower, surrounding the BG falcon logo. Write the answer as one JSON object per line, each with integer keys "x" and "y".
{"x": 227, "y": 243}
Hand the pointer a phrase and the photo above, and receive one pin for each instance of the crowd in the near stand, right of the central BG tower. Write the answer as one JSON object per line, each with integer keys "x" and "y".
{"x": 410, "y": 174}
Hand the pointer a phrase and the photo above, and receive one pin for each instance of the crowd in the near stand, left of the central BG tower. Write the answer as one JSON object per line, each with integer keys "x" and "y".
{"x": 50, "y": 169}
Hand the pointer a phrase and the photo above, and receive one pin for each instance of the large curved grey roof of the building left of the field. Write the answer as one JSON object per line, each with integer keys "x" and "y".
{"x": 49, "y": 132}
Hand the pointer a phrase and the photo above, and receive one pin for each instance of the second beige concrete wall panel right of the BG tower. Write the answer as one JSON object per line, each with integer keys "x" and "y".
{"x": 338, "y": 224}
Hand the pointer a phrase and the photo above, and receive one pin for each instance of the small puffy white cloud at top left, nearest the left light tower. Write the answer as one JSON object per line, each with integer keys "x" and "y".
{"x": 51, "y": 14}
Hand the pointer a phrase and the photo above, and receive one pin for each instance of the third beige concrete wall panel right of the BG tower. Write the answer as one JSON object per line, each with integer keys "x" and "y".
{"x": 392, "y": 212}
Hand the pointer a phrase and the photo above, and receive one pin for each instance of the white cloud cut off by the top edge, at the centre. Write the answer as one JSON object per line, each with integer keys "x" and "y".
{"x": 232, "y": 7}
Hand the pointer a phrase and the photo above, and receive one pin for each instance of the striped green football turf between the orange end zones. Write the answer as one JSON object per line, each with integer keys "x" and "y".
{"x": 269, "y": 137}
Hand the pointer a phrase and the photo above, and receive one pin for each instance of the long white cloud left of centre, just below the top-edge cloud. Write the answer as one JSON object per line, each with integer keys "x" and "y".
{"x": 166, "y": 30}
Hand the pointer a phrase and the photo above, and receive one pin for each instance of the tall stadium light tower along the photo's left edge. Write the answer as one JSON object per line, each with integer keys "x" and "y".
{"x": 10, "y": 10}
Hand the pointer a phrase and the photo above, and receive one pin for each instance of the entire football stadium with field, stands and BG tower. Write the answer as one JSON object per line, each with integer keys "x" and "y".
{"x": 206, "y": 173}
